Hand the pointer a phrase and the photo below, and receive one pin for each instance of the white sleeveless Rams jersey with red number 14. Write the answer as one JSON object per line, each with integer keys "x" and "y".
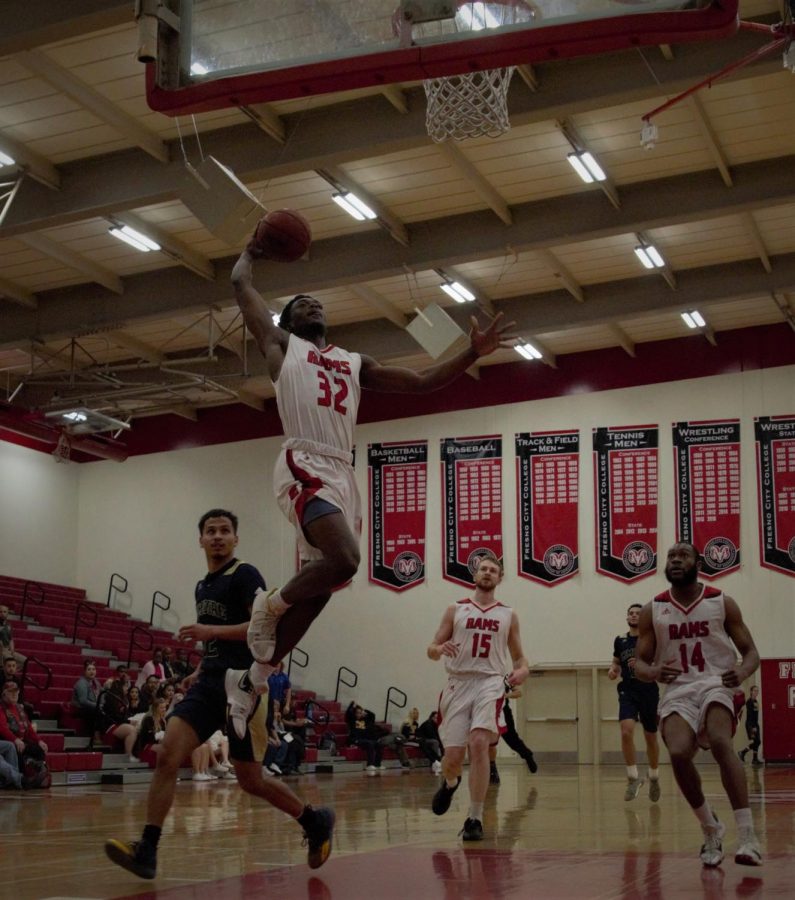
{"x": 693, "y": 638}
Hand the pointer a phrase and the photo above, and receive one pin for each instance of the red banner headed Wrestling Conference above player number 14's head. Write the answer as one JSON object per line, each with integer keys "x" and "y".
{"x": 707, "y": 465}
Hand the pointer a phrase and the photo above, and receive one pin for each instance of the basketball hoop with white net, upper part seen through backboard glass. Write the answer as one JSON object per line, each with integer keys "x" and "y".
{"x": 474, "y": 104}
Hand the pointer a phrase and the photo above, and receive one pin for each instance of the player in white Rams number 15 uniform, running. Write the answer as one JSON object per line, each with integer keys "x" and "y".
{"x": 480, "y": 643}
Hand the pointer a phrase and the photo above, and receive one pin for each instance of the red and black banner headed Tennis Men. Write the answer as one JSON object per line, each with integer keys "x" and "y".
{"x": 625, "y": 488}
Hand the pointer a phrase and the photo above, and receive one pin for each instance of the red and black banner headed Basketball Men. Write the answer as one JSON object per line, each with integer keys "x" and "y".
{"x": 397, "y": 475}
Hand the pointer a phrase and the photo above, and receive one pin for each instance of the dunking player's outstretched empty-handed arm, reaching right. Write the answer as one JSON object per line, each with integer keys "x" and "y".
{"x": 395, "y": 379}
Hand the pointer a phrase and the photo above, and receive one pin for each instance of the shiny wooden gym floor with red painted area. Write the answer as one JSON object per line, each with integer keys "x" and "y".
{"x": 565, "y": 832}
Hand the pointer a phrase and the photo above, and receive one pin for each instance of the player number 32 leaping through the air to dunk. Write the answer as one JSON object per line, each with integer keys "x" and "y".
{"x": 317, "y": 393}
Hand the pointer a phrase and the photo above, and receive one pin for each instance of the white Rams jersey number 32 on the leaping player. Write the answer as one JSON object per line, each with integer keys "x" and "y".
{"x": 317, "y": 393}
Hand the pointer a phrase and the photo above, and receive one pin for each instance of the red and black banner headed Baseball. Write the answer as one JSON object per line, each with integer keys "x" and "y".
{"x": 472, "y": 485}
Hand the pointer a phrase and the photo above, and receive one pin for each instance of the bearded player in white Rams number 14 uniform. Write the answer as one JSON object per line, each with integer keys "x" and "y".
{"x": 689, "y": 637}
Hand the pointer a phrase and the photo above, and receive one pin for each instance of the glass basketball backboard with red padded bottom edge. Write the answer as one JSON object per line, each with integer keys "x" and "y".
{"x": 207, "y": 54}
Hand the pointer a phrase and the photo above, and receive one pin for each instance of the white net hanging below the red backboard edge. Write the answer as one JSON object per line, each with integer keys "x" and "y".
{"x": 468, "y": 106}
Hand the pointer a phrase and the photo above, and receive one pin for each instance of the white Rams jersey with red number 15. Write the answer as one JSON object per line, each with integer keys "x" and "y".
{"x": 482, "y": 638}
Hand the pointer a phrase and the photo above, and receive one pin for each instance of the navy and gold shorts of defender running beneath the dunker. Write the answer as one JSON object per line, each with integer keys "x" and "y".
{"x": 204, "y": 709}
